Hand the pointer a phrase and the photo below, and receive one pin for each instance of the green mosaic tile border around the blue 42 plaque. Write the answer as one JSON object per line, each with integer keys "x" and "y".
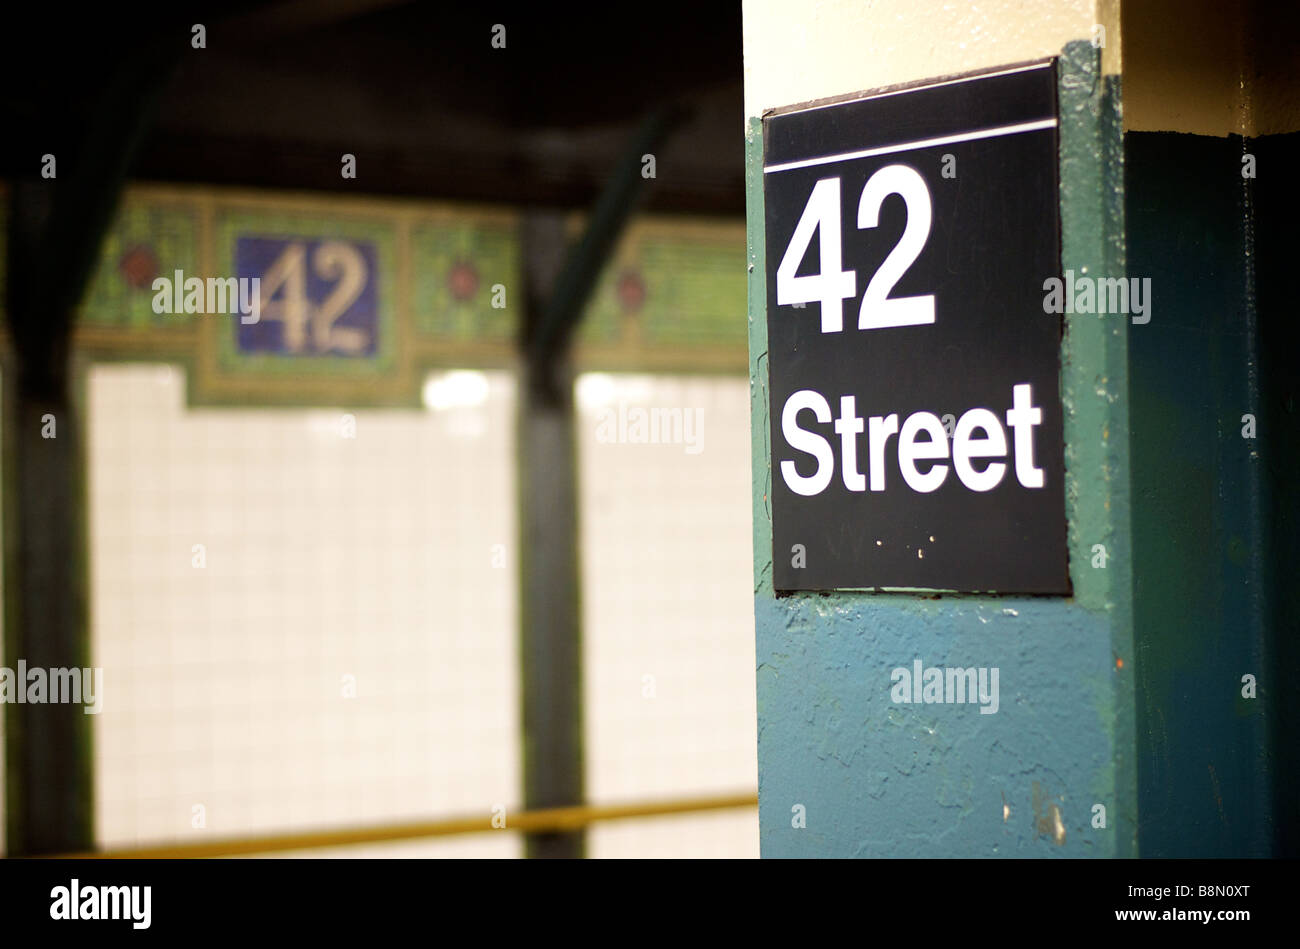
{"x": 673, "y": 298}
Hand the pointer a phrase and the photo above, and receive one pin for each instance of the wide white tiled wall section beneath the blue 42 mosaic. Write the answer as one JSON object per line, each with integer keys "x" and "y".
{"x": 326, "y": 557}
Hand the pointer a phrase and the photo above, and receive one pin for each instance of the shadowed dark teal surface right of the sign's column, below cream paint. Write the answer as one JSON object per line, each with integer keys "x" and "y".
{"x": 1215, "y": 460}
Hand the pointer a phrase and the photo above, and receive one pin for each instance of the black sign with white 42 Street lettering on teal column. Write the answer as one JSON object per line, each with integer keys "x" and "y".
{"x": 916, "y": 408}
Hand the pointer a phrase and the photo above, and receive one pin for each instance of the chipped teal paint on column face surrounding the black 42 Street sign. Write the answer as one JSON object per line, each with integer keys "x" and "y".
{"x": 847, "y": 773}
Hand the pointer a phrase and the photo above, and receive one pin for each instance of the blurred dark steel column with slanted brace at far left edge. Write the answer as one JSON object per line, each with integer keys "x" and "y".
{"x": 54, "y": 242}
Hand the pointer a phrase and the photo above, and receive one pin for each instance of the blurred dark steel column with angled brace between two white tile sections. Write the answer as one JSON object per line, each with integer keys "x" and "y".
{"x": 557, "y": 291}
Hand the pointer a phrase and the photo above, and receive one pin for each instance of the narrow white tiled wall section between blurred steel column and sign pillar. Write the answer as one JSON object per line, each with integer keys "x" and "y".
{"x": 669, "y": 612}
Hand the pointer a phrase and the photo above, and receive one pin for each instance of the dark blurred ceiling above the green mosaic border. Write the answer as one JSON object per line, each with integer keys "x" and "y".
{"x": 414, "y": 90}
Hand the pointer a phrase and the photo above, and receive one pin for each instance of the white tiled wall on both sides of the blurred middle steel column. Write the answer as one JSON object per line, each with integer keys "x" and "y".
{"x": 224, "y": 684}
